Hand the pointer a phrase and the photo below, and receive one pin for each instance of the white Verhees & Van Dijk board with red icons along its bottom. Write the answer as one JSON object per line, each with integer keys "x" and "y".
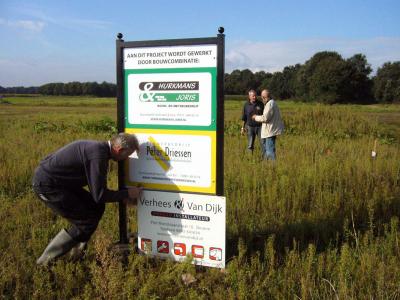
{"x": 174, "y": 225}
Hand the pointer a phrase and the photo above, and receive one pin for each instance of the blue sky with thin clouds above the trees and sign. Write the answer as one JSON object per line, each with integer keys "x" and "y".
{"x": 62, "y": 41}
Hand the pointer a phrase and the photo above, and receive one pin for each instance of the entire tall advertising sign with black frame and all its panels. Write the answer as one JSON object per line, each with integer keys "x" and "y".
{"x": 170, "y": 95}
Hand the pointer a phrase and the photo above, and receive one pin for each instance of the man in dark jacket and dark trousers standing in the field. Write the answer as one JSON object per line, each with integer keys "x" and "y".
{"x": 253, "y": 128}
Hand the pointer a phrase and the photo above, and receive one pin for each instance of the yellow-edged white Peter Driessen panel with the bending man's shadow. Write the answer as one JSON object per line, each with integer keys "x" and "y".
{"x": 174, "y": 160}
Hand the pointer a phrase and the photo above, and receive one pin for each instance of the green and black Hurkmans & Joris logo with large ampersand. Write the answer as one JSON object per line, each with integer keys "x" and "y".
{"x": 169, "y": 91}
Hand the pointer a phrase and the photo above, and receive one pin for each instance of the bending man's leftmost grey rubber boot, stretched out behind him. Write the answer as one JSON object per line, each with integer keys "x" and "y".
{"x": 58, "y": 246}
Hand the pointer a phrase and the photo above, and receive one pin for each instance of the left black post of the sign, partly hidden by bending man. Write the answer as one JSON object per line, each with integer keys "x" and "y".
{"x": 123, "y": 231}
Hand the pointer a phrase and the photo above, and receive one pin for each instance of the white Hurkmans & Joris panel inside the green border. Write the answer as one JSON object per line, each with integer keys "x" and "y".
{"x": 170, "y": 99}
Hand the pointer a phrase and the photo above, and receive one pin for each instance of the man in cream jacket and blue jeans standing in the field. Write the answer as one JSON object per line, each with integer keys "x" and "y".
{"x": 272, "y": 125}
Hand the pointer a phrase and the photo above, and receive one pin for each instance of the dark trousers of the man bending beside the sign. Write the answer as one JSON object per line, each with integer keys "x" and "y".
{"x": 75, "y": 205}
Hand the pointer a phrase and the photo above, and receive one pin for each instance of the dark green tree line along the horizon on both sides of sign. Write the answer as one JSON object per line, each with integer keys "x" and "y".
{"x": 326, "y": 77}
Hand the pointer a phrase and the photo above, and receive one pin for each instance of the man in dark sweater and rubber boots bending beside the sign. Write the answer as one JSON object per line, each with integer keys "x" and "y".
{"x": 59, "y": 181}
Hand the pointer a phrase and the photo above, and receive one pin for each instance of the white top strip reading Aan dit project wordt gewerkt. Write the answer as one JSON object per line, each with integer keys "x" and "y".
{"x": 198, "y": 56}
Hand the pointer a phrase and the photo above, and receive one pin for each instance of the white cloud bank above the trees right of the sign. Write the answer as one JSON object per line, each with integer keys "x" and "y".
{"x": 274, "y": 56}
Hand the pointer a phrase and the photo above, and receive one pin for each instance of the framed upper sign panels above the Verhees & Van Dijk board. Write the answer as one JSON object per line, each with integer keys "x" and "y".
{"x": 170, "y": 103}
